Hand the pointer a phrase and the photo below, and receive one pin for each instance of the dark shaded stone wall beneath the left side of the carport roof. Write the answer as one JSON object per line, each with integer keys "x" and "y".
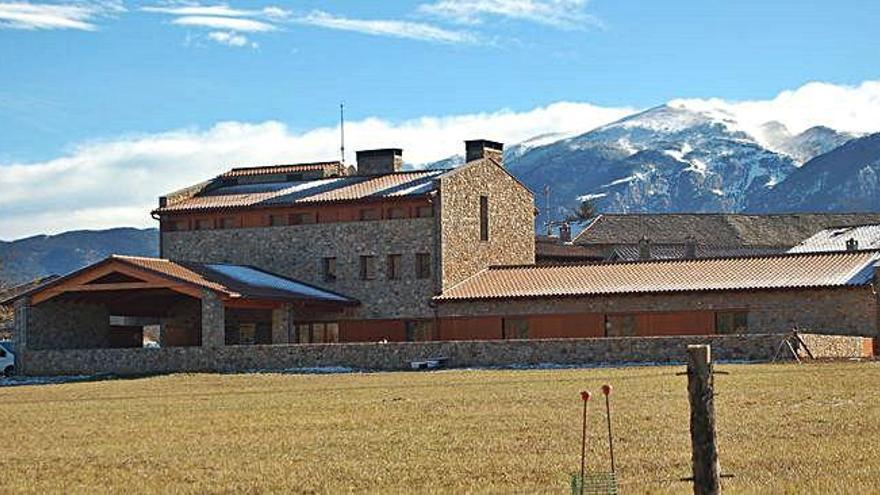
{"x": 64, "y": 325}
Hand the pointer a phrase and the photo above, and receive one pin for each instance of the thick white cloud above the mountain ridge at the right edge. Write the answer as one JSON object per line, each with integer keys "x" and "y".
{"x": 852, "y": 109}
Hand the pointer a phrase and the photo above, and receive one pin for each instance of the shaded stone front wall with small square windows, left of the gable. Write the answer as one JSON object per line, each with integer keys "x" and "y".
{"x": 297, "y": 252}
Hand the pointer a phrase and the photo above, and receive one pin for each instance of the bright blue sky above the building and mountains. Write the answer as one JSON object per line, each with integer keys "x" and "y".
{"x": 80, "y": 77}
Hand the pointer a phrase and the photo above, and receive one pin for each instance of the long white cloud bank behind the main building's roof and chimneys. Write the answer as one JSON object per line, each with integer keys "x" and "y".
{"x": 116, "y": 183}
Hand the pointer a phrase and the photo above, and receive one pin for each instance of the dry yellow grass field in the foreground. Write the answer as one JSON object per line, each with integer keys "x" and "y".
{"x": 782, "y": 428}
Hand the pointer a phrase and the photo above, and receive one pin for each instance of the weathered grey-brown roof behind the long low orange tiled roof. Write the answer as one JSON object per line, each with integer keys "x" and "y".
{"x": 715, "y": 229}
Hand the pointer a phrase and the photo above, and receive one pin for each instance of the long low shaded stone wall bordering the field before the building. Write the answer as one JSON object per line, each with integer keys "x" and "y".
{"x": 397, "y": 356}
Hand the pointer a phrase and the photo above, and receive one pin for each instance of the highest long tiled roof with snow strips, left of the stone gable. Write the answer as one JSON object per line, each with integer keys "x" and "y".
{"x": 352, "y": 188}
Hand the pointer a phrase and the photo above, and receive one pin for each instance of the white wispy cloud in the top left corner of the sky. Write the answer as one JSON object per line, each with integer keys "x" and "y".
{"x": 45, "y": 16}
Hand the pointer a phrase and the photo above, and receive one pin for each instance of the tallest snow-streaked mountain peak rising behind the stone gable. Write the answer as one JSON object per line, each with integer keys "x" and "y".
{"x": 665, "y": 159}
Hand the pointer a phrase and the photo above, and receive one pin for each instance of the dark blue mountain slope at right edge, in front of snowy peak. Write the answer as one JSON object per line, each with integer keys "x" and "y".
{"x": 844, "y": 179}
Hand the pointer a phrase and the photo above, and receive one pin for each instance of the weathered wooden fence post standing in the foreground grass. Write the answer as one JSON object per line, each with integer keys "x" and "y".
{"x": 704, "y": 451}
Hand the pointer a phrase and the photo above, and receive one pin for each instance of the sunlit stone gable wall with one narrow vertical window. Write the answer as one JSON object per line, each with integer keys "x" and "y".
{"x": 511, "y": 221}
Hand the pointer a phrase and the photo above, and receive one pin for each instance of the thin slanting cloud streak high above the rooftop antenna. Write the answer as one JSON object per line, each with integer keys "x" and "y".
{"x": 394, "y": 28}
